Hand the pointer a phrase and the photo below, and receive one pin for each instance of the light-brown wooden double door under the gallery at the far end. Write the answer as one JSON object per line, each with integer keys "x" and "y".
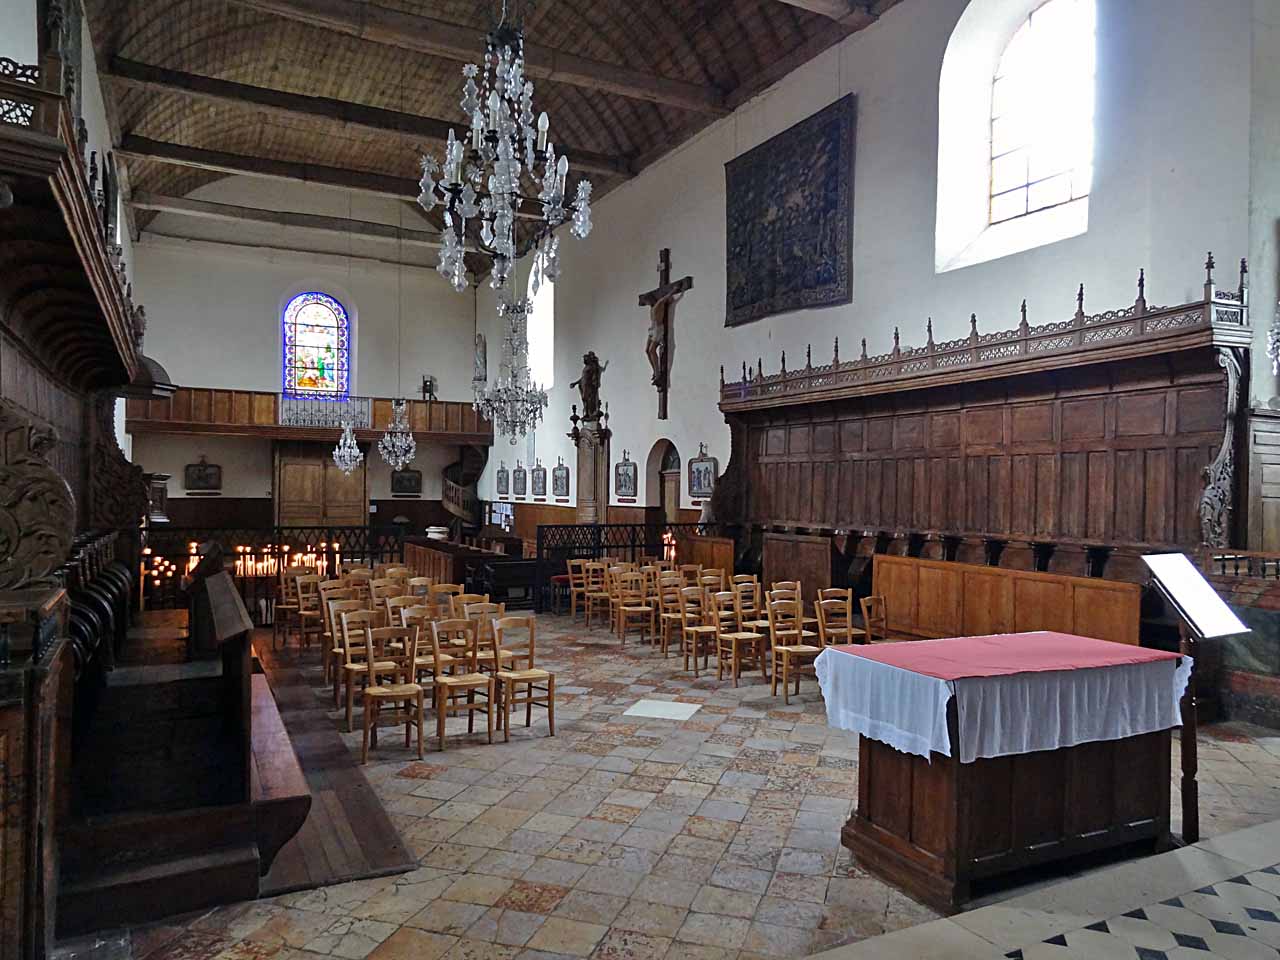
{"x": 310, "y": 491}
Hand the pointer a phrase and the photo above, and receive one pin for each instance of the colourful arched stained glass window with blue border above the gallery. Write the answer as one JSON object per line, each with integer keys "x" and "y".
{"x": 317, "y": 348}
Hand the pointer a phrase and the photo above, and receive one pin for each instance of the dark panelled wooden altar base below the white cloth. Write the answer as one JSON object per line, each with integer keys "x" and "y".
{"x": 935, "y": 828}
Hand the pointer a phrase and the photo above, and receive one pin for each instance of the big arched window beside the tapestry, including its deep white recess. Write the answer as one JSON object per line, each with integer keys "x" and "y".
{"x": 1016, "y": 129}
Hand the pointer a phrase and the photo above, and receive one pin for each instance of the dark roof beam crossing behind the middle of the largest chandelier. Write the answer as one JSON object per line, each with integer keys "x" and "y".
{"x": 360, "y": 116}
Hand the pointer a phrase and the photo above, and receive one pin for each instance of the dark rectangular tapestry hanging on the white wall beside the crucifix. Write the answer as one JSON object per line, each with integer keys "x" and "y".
{"x": 790, "y": 220}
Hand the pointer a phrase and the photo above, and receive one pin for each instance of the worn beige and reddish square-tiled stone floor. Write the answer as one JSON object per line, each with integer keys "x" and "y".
{"x": 629, "y": 836}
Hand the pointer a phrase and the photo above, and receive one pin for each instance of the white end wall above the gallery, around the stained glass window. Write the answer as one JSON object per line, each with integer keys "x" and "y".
{"x": 214, "y": 310}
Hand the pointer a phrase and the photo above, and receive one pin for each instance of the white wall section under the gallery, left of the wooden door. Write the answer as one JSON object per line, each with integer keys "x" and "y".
{"x": 246, "y": 461}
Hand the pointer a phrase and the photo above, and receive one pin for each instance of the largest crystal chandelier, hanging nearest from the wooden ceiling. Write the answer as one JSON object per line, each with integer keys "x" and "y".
{"x": 506, "y": 172}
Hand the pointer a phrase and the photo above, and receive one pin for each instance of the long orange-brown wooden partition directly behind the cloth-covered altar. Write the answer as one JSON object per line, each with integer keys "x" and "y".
{"x": 936, "y": 598}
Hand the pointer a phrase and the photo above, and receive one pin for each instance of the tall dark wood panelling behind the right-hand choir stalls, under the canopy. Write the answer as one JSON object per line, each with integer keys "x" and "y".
{"x": 1113, "y": 454}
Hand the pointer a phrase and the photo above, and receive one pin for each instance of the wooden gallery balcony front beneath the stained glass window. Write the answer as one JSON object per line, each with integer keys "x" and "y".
{"x": 194, "y": 410}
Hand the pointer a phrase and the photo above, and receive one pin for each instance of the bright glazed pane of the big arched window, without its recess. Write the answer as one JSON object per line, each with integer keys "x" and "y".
{"x": 1043, "y": 112}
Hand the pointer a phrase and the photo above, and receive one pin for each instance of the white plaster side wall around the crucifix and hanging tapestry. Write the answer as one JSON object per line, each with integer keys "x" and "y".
{"x": 1172, "y": 181}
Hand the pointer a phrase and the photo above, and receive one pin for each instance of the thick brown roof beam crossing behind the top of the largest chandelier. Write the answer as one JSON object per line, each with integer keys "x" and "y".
{"x": 467, "y": 44}
